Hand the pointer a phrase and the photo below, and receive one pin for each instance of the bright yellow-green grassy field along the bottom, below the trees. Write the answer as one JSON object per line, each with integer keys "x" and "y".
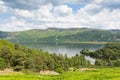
{"x": 100, "y": 74}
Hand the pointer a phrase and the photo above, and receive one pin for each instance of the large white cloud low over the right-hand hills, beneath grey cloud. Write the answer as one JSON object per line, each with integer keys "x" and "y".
{"x": 104, "y": 19}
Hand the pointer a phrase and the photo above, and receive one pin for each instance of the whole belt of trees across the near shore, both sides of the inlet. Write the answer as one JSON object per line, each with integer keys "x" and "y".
{"x": 23, "y": 58}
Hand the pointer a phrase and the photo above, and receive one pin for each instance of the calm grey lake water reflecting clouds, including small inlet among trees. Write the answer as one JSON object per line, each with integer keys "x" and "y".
{"x": 69, "y": 49}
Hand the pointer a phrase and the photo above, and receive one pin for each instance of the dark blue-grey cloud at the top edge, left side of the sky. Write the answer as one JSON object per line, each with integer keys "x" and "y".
{"x": 24, "y": 4}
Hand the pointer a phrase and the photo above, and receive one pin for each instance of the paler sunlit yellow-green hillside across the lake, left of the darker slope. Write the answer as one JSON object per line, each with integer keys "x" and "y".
{"x": 40, "y": 35}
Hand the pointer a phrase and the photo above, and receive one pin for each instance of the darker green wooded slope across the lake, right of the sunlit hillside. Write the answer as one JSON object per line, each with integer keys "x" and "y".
{"x": 87, "y": 36}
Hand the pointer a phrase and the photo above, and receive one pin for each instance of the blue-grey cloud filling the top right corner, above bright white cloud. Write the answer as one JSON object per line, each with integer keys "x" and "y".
{"x": 102, "y": 4}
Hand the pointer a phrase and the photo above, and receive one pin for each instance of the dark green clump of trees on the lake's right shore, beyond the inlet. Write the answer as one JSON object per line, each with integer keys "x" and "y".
{"x": 109, "y": 55}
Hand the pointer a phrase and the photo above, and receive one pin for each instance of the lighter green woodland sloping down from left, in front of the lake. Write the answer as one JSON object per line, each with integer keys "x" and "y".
{"x": 21, "y": 58}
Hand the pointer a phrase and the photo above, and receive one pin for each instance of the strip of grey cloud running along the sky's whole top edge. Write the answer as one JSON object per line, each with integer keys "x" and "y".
{"x": 34, "y": 4}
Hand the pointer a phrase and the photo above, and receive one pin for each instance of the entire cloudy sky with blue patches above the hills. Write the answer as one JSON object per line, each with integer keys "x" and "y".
{"x": 19, "y": 15}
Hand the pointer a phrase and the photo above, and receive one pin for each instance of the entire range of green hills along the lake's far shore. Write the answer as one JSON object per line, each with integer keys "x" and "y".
{"x": 63, "y": 35}
